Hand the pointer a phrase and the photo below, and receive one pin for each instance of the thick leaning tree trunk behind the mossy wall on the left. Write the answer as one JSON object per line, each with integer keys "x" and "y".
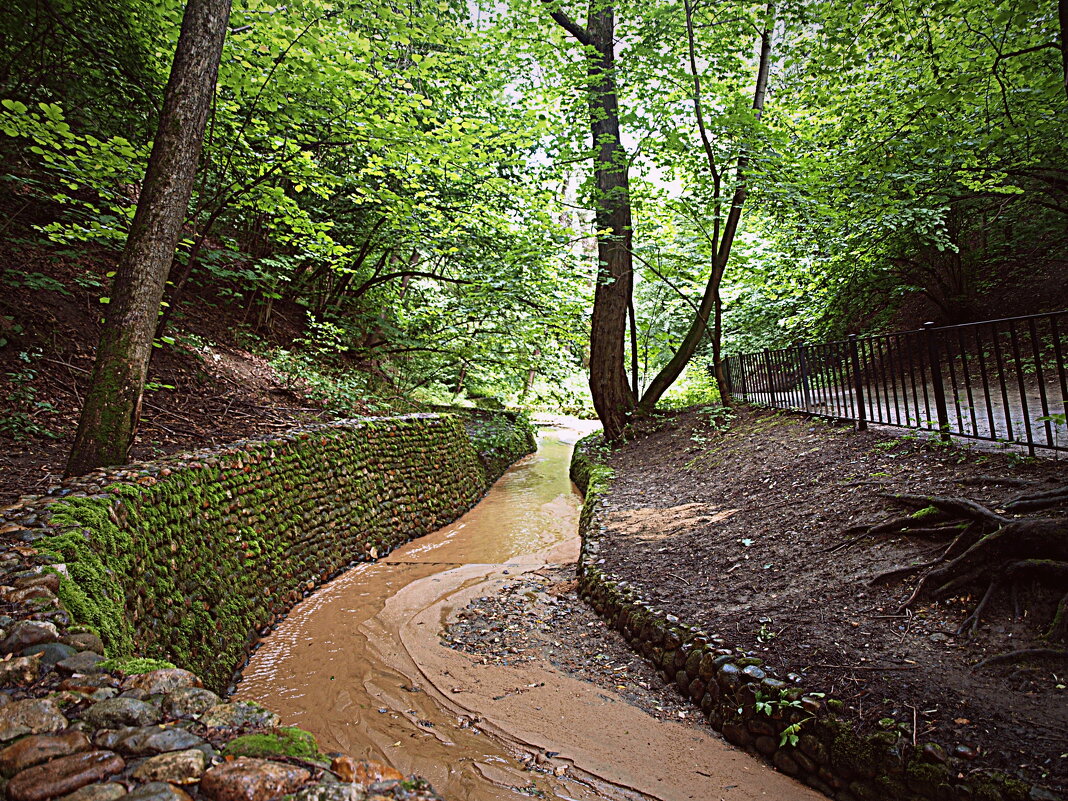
{"x": 113, "y": 407}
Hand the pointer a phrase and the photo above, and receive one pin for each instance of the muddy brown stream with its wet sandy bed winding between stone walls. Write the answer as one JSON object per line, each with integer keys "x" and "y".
{"x": 359, "y": 665}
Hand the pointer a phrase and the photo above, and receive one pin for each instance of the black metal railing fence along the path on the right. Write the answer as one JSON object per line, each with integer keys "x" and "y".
{"x": 1002, "y": 381}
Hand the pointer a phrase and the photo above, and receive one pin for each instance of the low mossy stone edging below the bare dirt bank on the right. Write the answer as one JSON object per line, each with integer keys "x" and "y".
{"x": 803, "y": 733}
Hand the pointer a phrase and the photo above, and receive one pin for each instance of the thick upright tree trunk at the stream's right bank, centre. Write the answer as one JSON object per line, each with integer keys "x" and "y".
{"x": 612, "y": 396}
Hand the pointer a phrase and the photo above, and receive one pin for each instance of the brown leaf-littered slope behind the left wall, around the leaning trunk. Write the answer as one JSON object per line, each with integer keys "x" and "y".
{"x": 213, "y": 384}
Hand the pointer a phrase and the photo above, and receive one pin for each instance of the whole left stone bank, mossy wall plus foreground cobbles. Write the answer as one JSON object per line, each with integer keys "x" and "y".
{"x": 186, "y": 559}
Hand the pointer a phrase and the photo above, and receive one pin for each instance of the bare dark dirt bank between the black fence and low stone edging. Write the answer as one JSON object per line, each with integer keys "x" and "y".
{"x": 741, "y": 531}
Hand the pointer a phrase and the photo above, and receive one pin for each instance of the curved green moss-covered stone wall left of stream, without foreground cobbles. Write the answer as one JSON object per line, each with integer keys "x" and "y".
{"x": 189, "y": 558}
